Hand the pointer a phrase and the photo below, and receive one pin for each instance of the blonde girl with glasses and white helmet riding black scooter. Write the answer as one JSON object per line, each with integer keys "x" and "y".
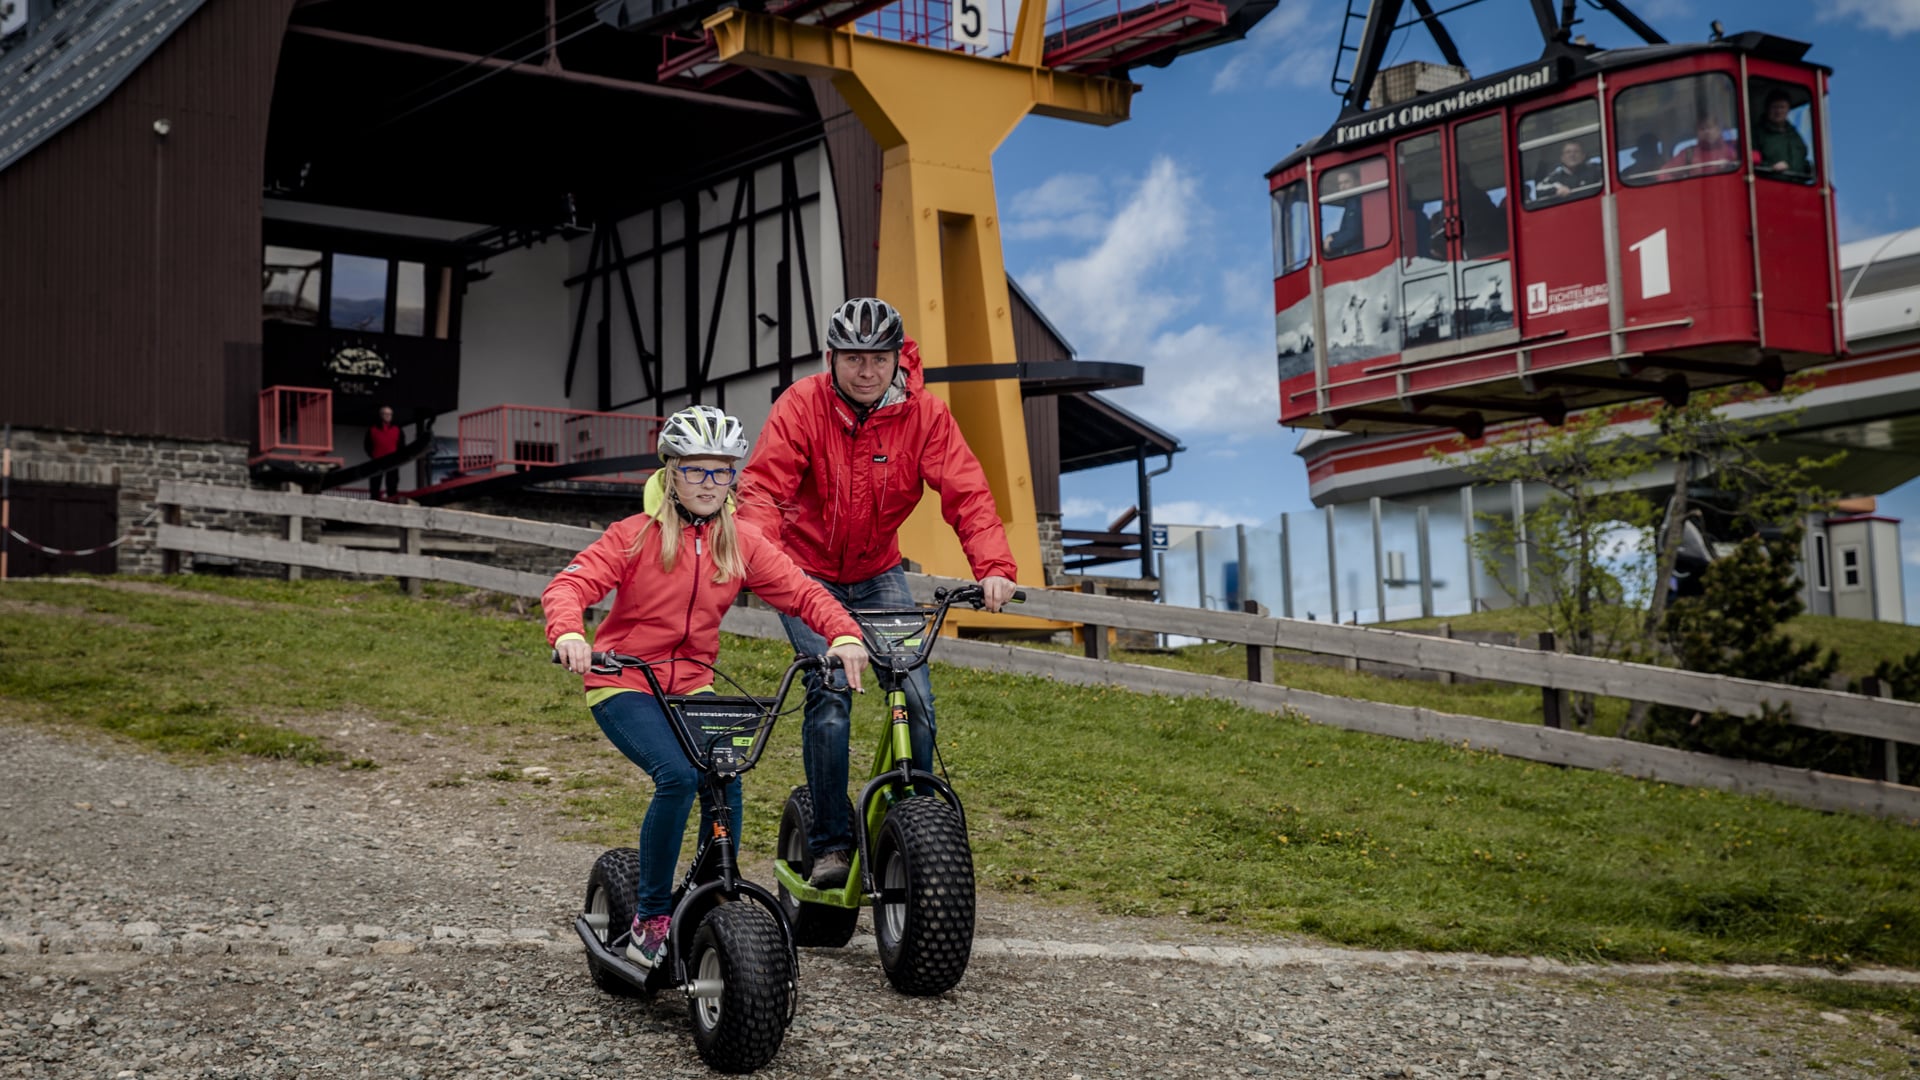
{"x": 679, "y": 568}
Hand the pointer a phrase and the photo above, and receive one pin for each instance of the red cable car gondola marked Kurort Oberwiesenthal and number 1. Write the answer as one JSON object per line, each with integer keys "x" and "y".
{"x": 1593, "y": 228}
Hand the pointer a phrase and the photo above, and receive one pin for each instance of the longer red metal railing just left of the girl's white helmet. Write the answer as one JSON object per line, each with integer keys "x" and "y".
{"x": 531, "y": 437}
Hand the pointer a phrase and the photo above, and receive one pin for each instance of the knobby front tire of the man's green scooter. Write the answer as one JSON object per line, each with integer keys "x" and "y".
{"x": 924, "y": 912}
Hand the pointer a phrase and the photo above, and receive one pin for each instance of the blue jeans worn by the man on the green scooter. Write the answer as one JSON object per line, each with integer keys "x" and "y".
{"x": 825, "y": 731}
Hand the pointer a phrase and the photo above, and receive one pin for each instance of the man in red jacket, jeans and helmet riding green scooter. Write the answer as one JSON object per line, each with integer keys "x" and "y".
{"x": 842, "y": 464}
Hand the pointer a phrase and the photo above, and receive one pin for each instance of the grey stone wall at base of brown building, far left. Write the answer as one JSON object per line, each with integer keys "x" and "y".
{"x": 135, "y": 466}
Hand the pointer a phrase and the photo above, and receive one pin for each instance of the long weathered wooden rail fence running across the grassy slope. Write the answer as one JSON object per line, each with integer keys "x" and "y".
{"x": 1825, "y": 710}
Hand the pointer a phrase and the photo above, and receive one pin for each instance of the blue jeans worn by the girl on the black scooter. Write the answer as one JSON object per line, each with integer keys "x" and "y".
{"x": 638, "y": 727}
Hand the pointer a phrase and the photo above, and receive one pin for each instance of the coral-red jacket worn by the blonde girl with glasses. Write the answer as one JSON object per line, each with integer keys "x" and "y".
{"x": 661, "y": 616}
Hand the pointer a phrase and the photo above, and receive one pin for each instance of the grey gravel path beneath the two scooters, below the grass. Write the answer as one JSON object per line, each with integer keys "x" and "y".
{"x": 277, "y": 921}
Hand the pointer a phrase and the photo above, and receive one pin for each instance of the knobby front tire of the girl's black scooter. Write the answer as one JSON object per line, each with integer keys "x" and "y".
{"x": 740, "y": 946}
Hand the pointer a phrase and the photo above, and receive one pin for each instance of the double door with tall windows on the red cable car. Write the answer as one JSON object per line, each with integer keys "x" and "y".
{"x": 1456, "y": 264}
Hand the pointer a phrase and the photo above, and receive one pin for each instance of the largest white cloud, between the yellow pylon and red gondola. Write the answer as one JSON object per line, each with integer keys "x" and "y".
{"x": 1130, "y": 301}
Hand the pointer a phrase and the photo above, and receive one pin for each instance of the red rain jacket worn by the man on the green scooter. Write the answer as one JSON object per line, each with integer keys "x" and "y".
{"x": 838, "y": 489}
